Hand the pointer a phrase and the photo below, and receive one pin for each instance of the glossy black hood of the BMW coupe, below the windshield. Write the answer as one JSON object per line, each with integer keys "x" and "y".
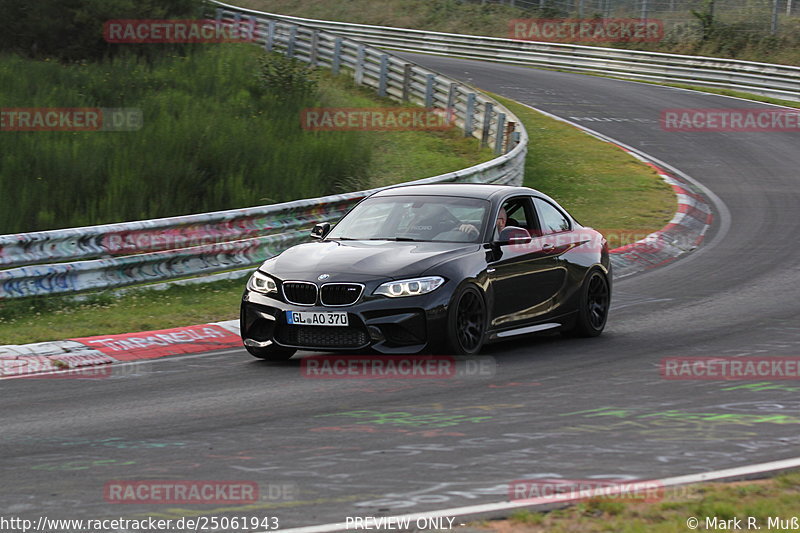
{"x": 362, "y": 260}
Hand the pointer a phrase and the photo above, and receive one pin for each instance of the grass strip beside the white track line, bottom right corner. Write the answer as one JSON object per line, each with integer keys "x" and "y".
{"x": 776, "y": 497}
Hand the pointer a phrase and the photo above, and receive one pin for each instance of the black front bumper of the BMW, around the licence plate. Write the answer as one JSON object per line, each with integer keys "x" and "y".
{"x": 387, "y": 325}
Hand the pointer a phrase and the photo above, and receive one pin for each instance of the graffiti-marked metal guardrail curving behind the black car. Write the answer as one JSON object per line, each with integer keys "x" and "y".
{"x": 118, "y": 255}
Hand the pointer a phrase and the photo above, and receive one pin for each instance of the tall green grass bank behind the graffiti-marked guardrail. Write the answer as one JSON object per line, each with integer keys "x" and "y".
{"x": 214, "y": 137}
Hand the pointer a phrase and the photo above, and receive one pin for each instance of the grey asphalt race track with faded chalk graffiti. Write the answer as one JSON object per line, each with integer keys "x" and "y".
{"x": 324, "y": 449}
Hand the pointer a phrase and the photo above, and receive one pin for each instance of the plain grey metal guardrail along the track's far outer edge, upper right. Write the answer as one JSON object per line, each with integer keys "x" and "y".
{"x": 779, "y": 81}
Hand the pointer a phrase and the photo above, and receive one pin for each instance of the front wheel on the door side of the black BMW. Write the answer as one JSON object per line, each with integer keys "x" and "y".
{"x": 466, "y": 321}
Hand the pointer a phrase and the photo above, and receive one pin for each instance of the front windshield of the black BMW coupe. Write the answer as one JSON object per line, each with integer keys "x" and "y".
{"x": 415, "y": 218}
